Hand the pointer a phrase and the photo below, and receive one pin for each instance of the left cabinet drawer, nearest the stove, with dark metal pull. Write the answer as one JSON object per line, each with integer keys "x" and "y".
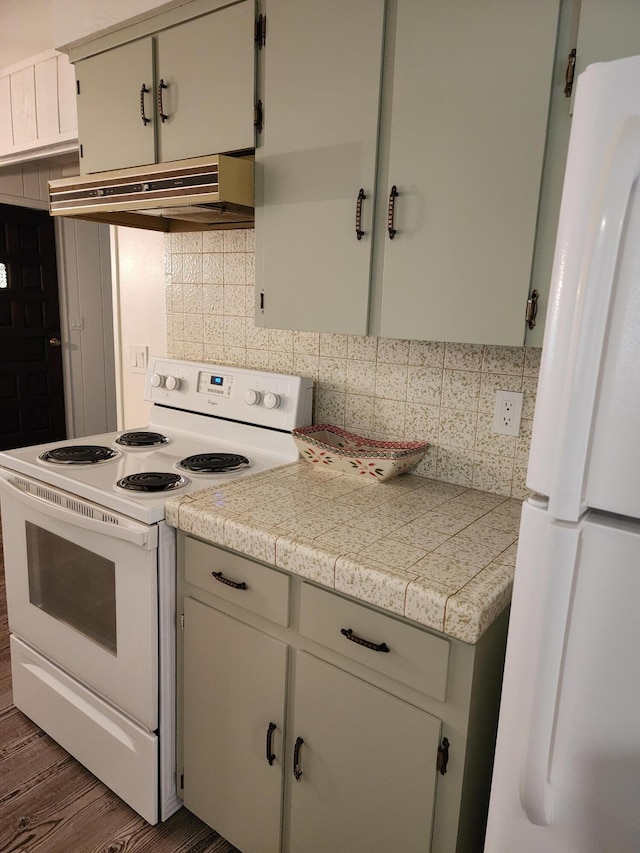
{"x": 266, "y": 591}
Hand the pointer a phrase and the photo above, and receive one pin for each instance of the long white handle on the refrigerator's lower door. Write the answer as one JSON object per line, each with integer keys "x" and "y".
{"x": 536, "y": 793}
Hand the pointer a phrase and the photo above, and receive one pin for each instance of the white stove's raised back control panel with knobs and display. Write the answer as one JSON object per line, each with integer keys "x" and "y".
{"x": 258, "y": 397}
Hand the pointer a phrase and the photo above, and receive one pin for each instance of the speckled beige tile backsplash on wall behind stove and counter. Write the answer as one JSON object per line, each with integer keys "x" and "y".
{"x": 438, "y": 392}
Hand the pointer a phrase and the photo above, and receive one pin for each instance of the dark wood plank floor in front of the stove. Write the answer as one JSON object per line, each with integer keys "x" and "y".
{"x": 49, "y": 803}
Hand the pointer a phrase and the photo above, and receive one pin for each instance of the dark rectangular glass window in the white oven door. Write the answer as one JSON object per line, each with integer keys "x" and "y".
{"x": 73, "y": 585}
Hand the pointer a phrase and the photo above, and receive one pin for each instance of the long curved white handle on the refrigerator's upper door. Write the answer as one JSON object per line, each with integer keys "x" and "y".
{"x": 595, "y": 293}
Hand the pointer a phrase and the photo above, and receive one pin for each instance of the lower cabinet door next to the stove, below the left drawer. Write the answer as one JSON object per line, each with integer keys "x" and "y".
{"x": 234, "y": 687}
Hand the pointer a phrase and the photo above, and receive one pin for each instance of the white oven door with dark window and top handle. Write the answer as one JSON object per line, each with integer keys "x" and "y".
{"x": 82, "y": 590}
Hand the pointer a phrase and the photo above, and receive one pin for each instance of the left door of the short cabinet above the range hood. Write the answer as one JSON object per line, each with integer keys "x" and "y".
{"x": 111, "y": 131}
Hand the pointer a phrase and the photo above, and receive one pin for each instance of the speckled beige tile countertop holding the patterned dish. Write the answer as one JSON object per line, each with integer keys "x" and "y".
{"x": 438, "y": 554}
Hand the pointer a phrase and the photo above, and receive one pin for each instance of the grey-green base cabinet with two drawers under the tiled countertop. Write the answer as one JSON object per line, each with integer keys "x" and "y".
{"x": 293, "y": 739}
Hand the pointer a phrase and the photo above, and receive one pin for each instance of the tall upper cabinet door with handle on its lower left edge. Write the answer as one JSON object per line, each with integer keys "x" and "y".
{"x": 471, "y": 84}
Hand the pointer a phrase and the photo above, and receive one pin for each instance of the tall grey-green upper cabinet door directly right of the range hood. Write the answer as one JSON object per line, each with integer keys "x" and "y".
{"x": 318, "y": 149}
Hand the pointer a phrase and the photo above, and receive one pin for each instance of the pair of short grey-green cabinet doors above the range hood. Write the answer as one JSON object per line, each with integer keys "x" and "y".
{"x": 185, "y": 91}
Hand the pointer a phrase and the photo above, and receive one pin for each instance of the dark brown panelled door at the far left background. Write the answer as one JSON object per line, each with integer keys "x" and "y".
{"x": 31, "y": 386}
